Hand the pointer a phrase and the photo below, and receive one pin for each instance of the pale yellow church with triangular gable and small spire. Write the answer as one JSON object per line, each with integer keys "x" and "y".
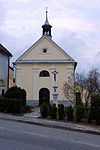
{"x": 34, "y": 69}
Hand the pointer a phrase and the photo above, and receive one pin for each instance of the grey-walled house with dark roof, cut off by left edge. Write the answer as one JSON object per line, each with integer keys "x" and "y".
{"x": 5, "y": 56}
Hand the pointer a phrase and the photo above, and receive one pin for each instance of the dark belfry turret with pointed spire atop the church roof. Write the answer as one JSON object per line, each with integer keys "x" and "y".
{"x": 47, "y": 27}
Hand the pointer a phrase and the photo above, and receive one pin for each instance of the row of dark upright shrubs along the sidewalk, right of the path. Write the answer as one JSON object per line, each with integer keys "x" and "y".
{"x": 77, "y": 113}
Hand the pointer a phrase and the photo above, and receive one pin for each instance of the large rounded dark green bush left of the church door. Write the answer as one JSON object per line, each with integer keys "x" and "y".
{"x": 17, "y": 93}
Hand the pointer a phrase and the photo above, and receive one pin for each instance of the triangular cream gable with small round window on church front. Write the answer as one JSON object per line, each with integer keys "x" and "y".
{"x": 45, "y": 49}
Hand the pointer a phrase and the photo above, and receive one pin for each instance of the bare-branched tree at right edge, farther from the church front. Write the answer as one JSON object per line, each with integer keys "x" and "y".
{"x": 89, "y": 81}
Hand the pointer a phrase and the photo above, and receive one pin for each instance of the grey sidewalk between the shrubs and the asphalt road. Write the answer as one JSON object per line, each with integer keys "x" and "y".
{"x": 52, "y": 124}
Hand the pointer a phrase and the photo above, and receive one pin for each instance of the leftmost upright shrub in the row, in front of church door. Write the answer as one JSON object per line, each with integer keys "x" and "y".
{"x": 44, "y": 110}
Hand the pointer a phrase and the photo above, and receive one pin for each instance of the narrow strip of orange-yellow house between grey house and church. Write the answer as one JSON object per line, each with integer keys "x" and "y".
{"x": 11, "y": 77}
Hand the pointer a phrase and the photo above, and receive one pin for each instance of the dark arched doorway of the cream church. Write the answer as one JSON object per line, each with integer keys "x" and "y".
{"x": 44, "y": 96}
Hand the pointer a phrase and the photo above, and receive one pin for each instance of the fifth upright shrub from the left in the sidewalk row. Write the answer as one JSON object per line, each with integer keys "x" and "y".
{"x": 79, "y": 112}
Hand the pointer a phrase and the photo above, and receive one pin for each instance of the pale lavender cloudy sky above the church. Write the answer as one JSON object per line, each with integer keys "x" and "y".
{"x": 75, "y": 27}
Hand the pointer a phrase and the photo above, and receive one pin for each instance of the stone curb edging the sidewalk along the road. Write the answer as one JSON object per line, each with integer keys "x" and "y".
{"x": 52, "y": 125}
